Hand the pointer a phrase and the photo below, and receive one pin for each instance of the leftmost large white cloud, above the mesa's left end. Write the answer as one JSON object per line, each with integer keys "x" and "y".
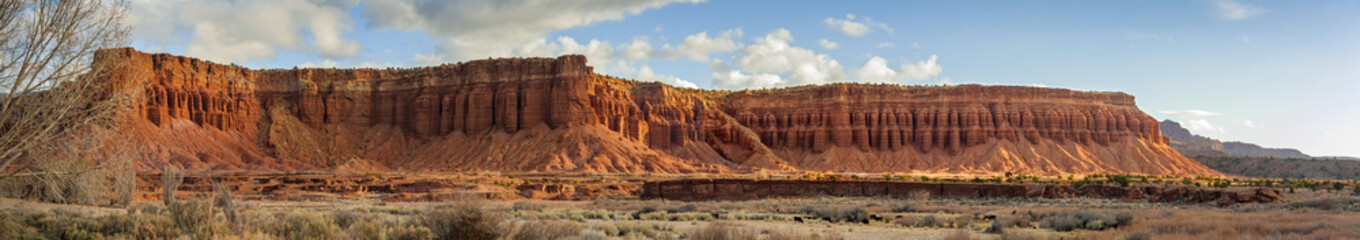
{"x": 247, "y": 31}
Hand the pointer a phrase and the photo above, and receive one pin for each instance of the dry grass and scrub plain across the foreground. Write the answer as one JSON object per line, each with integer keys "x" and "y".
{"x": 755, "y": 220}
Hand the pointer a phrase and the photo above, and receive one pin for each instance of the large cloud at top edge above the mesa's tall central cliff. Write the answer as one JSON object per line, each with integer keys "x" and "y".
{"x": 497, "y": 29}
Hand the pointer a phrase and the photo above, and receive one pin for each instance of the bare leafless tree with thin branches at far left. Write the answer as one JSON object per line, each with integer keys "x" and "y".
{"x": 55, "y": 97}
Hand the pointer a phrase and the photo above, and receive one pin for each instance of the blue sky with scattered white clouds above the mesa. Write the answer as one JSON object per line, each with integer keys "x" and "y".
{"x": 1282, "y": 74}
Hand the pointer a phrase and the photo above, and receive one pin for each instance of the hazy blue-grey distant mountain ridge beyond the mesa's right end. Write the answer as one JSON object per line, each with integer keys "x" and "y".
{"x": 1196, "y": 145}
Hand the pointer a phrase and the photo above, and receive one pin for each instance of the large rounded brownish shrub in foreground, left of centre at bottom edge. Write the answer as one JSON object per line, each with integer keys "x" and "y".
{"x": 463, "y": 220}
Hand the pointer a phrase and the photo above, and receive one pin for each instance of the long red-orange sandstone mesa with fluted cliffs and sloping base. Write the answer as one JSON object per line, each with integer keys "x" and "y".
{"x": 556, "y": 115}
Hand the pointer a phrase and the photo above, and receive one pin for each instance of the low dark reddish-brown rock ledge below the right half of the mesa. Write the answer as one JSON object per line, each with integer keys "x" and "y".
{"x": 750, "y": 190}
